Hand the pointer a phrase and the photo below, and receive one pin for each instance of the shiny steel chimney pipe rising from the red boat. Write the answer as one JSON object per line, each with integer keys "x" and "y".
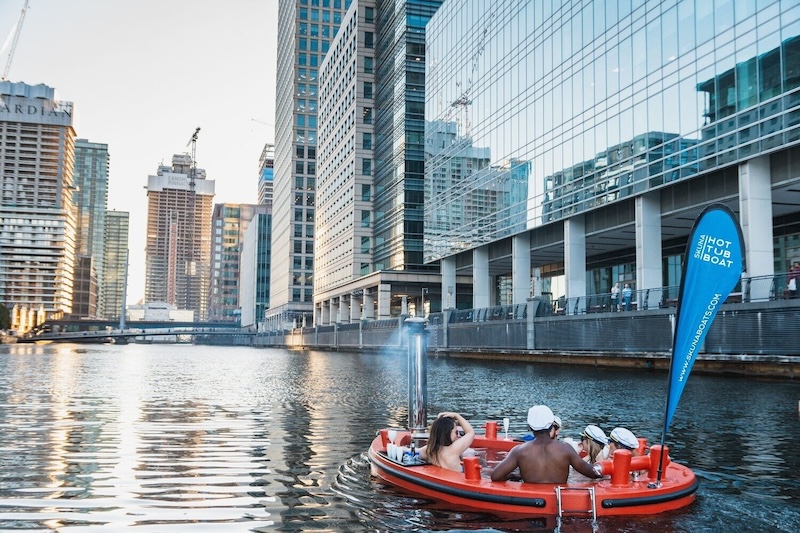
{"x": 417, "y": 376}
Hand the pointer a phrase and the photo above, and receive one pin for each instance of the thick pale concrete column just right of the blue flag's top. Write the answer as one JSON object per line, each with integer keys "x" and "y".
{"x": 755, "y": 217}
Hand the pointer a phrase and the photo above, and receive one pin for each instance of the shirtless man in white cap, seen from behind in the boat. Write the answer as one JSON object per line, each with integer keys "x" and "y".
{"x": 544, "y": 459}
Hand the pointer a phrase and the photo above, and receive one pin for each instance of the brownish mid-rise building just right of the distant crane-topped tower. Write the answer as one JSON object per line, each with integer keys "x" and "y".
{"x": 229, "y": 223}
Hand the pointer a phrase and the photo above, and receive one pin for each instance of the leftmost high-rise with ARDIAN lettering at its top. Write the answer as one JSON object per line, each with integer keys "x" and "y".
{"x": 37, "y": 214}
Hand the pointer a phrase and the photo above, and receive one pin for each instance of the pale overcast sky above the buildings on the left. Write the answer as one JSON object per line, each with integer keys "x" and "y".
{"x": 143, "y": 75}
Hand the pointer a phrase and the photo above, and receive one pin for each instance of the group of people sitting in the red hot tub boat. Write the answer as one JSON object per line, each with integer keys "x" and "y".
{"x": 543, "y": 459}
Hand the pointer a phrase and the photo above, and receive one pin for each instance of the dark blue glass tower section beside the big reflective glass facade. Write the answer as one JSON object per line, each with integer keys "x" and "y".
{"x": 399, "y": 167}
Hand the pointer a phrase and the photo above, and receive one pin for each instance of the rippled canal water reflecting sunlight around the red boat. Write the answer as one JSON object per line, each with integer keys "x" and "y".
{"x": 193, "y": 438}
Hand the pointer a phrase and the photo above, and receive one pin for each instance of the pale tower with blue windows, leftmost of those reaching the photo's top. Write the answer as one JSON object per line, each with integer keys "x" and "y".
{"x": 305, "y": 30}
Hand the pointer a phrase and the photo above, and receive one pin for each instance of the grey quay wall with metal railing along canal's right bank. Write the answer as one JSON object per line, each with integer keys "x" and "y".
{"x": 753, "y": 330}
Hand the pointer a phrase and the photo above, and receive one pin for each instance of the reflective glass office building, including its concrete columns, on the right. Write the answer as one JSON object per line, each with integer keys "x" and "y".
{"x": 633, "y": 116}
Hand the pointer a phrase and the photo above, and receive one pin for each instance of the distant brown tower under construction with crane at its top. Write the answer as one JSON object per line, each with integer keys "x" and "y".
{"x": 178, "y": 249}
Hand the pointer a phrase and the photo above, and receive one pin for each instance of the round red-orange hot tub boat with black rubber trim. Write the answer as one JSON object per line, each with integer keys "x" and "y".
{"x": 618, "y": 495}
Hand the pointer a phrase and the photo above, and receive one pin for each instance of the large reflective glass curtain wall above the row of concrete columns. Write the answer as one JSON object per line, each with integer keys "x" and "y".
{"x": 605, "y": 101}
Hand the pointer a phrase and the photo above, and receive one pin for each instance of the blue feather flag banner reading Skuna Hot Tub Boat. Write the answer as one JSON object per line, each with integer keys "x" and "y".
{"x": 712, "y": 267}
